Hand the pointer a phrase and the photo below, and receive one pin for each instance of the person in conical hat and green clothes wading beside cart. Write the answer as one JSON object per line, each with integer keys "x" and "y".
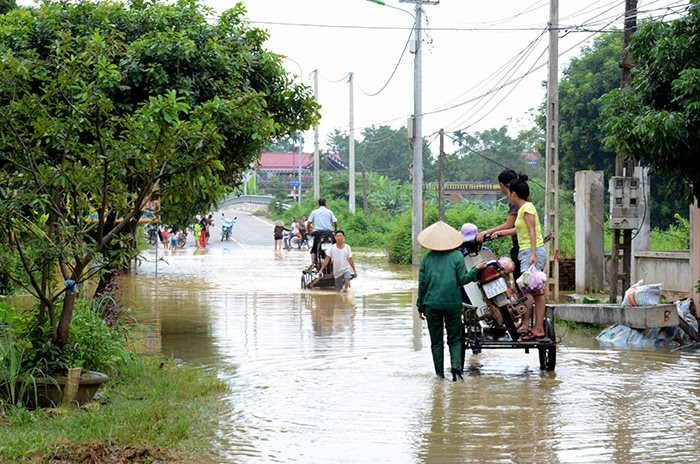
{"x": 442, "y": 272}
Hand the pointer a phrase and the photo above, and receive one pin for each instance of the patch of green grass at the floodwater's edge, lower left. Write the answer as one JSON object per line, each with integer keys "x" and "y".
{"x": 152, "y": 404}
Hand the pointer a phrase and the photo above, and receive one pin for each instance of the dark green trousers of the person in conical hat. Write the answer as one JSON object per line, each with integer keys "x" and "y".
{"x": 438, "y": 321}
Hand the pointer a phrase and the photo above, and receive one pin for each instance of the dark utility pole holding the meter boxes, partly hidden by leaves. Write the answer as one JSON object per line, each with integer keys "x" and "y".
{"x": 623, "y": 167}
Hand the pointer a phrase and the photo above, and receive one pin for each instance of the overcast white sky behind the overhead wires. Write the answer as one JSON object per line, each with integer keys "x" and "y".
{"x": 458, "y": 65}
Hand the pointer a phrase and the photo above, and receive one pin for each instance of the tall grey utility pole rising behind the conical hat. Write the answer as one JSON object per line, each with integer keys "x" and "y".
{"x": 417, "y": 223}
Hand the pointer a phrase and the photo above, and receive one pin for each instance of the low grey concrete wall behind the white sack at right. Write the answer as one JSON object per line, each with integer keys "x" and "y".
{"x": 670, "y": 268}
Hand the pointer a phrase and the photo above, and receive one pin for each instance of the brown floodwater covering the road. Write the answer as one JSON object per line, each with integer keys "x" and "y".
{"x": 318, "y": 376}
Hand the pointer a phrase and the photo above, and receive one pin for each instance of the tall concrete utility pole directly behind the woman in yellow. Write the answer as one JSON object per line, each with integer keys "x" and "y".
{"x": 551, "y": 201}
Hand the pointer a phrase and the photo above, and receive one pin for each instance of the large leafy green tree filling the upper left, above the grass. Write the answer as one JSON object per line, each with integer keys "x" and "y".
{"x": 106, "y": 107}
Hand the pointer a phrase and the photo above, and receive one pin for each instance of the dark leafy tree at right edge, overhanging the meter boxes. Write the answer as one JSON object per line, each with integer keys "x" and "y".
{"x": 657, "y": 119}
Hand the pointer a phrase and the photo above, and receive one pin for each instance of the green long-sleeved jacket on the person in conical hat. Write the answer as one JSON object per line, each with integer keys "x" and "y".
{"x": 440, "y": 277}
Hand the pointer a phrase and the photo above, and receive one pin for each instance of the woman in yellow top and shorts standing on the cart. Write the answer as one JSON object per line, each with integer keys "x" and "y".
{"x": 532, "y": 252}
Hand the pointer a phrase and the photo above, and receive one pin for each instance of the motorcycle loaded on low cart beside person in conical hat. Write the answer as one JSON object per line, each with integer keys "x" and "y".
{"x": 493, "y": 305}
